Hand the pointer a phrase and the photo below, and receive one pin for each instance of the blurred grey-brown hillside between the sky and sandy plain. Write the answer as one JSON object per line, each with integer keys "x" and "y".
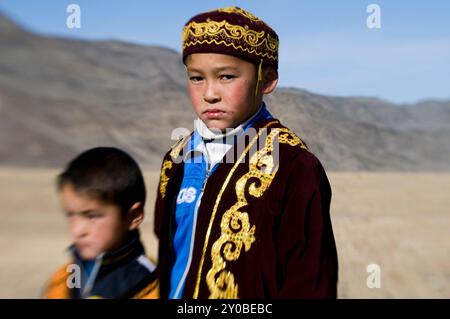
{"x": 59, "y": 97}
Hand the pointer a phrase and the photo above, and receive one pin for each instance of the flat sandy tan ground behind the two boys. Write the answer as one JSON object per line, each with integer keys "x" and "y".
{"x": 399, "y": 221}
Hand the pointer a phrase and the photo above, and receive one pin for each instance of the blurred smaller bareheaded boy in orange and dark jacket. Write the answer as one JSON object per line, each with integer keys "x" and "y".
{"x": 103, "y": 194}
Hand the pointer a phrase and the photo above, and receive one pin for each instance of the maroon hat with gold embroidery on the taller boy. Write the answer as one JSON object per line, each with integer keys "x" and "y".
{"x": 233, "y": 31}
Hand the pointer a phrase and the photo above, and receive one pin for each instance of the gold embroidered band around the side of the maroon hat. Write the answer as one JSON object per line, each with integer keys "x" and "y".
{"x": 230, "y": 35}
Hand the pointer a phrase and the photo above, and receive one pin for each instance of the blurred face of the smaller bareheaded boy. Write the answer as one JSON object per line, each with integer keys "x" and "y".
{"x": 96, "y": 227}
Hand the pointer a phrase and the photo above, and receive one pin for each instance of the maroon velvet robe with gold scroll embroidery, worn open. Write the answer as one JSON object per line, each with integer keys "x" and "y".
{"x": 263, "y": 228}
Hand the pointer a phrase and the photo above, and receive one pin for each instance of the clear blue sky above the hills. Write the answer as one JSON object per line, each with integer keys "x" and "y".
{"x": 325, "y": 47}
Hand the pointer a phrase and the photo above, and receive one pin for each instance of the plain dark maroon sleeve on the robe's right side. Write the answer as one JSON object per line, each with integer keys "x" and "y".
{"x": 307, "y": 257}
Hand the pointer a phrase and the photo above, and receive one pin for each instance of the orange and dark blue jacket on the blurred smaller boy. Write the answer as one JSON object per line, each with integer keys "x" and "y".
{"x": 125, "y": 273}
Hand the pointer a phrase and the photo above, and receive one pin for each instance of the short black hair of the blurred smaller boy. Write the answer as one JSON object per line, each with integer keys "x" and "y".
{"x": 107, "y": 174}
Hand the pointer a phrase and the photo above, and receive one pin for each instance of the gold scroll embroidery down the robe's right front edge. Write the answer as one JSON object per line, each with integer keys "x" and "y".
{"x": 236, "y": 230}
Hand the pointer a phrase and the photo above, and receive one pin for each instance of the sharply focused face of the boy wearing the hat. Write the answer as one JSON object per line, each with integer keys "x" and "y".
{"x": 222, "y": 89}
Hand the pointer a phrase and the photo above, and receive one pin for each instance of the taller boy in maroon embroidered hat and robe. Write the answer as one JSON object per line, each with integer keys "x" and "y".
{"x": 255, "y": 226}
